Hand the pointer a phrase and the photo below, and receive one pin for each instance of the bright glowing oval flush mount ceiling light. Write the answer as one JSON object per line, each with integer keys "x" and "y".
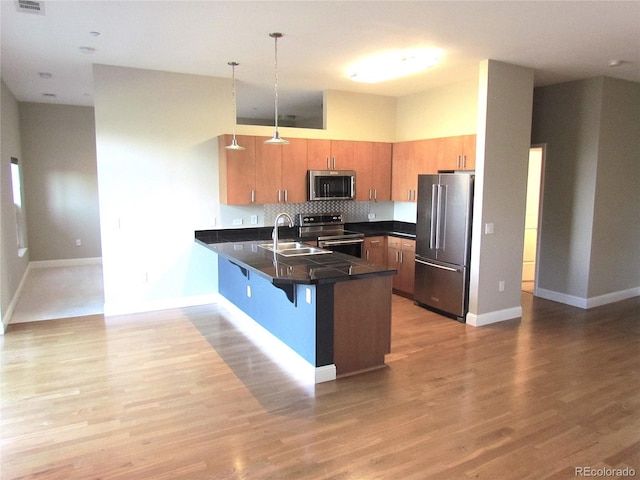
{"x": 391, "y": 65}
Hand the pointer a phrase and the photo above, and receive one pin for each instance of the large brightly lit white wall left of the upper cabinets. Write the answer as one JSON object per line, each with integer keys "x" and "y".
{"x": 156, "y": 151}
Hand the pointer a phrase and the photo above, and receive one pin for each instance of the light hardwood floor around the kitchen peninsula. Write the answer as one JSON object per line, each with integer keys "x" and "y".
{"x": 181, "y": 394}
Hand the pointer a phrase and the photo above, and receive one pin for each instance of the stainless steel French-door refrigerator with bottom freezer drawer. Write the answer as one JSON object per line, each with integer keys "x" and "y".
{"x": 443, "y": 242}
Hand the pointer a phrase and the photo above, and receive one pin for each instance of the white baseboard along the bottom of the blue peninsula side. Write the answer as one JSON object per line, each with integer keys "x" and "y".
{"x": 277, "y": 350}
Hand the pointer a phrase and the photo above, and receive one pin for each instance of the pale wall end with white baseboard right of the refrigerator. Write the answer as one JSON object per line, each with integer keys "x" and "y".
{"x": 504, "y": 128}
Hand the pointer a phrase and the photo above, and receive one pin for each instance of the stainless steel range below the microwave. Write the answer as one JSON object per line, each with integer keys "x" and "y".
{"x": 327, "y": 229}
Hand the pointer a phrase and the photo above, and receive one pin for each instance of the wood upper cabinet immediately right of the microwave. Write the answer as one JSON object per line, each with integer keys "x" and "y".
{"x": 372, "y": 163}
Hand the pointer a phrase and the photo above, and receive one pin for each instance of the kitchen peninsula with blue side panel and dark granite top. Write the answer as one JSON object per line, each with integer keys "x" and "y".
{"x": 333, "y": 310}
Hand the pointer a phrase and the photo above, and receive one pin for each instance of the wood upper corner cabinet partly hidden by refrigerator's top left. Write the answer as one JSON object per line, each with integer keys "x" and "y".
{"x": 409, "y": 160}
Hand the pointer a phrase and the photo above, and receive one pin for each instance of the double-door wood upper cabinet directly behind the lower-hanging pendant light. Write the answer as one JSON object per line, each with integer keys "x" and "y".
{"x": 280, "y": 171}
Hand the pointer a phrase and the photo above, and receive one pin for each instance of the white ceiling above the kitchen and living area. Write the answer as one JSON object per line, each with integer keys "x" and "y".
{"x": 560, "y": 40}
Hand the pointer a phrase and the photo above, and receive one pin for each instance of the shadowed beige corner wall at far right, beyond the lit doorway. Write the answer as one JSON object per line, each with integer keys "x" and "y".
{"x": 589, "y": 249}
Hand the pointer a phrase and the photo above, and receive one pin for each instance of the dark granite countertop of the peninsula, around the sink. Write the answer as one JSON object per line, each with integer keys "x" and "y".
{"x": 306, "y": 269}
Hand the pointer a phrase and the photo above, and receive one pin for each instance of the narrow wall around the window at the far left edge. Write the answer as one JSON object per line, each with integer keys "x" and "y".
{"x": 12, "y": 265}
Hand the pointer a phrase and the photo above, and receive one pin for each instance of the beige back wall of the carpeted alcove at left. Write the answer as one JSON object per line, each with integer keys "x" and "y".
{"x": 61, "y": 185}
